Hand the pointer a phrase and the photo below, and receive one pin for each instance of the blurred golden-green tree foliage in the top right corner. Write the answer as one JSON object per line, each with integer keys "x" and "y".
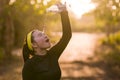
{"x": 107, "y": 14}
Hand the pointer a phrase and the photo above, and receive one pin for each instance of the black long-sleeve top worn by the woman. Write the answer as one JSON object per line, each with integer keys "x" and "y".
{"x": 47, "y": 67}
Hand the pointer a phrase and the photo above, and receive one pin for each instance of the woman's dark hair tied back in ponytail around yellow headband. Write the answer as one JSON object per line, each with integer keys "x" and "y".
{"x": 26, "y": 51}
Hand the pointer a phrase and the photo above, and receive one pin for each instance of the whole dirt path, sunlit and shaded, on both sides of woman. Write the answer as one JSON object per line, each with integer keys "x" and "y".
{"x": 78, "y": 62}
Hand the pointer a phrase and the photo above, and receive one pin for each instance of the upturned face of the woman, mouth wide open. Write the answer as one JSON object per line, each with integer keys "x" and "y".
{"x": 41, "y": 40}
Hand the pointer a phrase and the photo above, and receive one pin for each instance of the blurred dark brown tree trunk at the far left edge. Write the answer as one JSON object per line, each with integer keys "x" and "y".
{"x": 7, "y": 26}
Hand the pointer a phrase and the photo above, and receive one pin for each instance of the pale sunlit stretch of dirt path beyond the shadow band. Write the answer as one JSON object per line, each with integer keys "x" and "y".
{"x": 80, "y": 48}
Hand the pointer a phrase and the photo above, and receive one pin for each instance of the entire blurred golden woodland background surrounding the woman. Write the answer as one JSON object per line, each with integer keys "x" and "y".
{"x": 93, "y": 52}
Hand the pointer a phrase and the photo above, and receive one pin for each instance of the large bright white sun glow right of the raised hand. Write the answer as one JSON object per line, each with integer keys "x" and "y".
{"x": 79, "y": 7}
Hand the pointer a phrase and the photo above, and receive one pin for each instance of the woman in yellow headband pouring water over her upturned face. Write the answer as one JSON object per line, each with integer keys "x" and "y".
{"x": 43, "y": 65}
